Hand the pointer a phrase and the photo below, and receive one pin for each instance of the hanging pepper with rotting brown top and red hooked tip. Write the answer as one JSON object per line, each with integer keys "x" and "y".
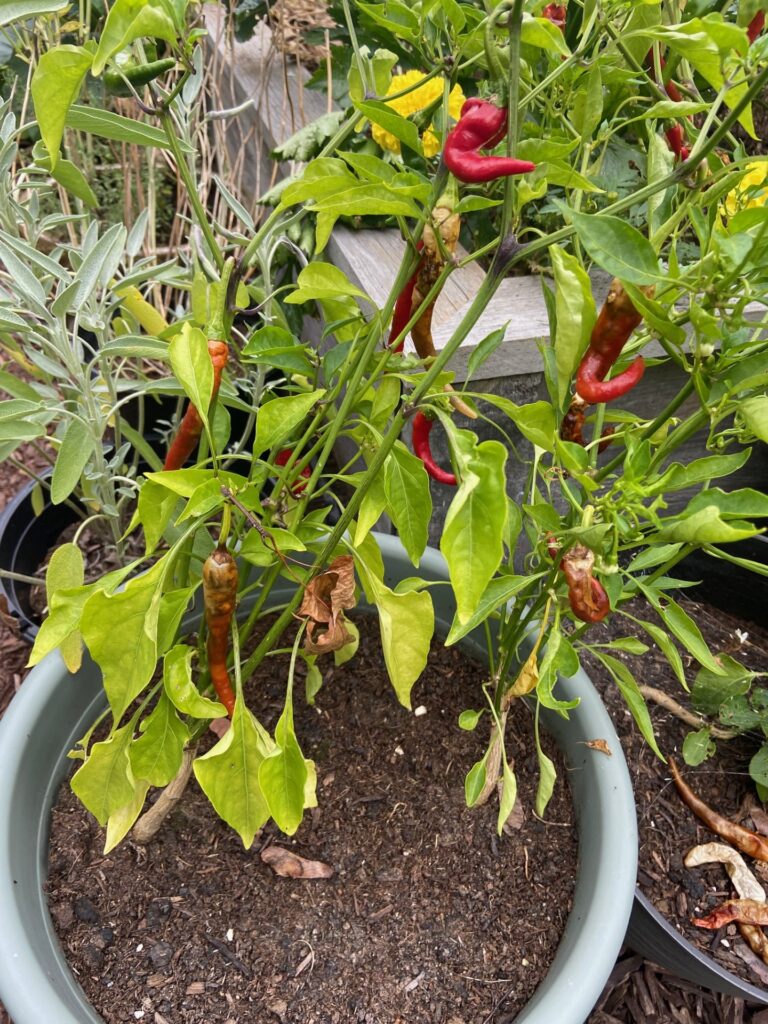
{"x": 615, "y": 325}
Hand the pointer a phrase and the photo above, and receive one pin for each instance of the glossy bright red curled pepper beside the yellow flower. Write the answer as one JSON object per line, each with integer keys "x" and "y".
{"x": 482, "y": 124}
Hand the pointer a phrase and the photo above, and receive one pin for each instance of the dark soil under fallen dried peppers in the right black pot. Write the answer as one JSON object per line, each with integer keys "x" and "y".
{"x": 668, "y": 829}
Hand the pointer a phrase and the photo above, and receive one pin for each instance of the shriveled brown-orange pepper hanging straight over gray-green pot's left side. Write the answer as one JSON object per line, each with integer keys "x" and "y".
{"x": 220, "y": 599}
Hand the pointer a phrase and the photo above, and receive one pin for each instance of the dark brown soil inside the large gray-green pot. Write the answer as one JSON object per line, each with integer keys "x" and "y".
{"x": 429, "y": 918}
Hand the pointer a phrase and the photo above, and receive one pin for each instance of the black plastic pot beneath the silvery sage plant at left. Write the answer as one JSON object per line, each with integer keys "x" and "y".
{"x": 25, "y": 541}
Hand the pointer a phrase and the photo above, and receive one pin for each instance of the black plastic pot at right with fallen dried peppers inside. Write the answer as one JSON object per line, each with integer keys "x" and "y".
{"x": 742, "y": 593}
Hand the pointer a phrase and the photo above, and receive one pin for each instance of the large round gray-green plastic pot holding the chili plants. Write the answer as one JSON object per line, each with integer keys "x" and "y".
{"x": 53, "y": 710}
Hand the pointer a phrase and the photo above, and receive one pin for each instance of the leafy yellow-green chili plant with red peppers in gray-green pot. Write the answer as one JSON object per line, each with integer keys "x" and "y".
{"x": 331, "y": 451}
